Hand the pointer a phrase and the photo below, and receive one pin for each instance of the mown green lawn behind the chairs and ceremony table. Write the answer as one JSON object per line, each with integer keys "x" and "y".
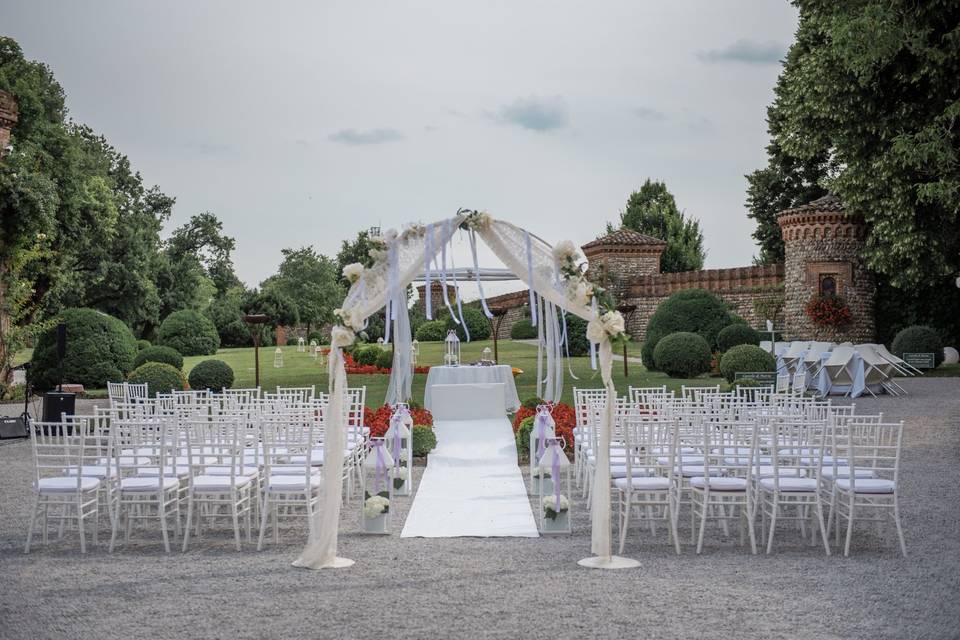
{"x": 300, "y": 369}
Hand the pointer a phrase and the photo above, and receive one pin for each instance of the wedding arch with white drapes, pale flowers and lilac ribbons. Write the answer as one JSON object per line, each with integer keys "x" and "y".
{"x": 557, "y": 284}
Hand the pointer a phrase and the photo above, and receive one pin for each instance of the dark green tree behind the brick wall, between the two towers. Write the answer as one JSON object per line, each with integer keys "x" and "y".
{"x": 653, "y": 211}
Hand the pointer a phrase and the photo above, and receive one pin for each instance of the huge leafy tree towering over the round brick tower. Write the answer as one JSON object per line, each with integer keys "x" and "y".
{"x": 868, "y": 107}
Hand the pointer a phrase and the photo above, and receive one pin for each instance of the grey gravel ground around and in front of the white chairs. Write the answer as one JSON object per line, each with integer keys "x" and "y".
{"x": 509, "y": 588}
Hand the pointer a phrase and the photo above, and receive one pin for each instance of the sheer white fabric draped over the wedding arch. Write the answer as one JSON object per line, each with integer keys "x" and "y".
{"x": 408, "y": 254}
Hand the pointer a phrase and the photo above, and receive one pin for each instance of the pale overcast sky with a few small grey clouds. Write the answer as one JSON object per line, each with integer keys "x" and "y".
{"x": 300, "y": 123}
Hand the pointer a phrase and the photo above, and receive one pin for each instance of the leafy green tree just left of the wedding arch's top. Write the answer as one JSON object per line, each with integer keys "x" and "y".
{"x": 312, "y": 280}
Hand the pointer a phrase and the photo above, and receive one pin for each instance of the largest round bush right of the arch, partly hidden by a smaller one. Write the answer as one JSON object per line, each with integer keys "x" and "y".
{"x": 691, "y": 310}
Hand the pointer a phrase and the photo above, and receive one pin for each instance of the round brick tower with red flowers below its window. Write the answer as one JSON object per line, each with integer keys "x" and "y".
{"x": 824, "y": 254}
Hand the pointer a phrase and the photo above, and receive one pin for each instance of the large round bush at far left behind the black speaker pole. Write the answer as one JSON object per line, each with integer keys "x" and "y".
{"x": 100, "y": 349}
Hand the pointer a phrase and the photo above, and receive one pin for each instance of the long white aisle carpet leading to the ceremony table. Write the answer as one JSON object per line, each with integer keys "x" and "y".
{"x": 472, "y": 485}
